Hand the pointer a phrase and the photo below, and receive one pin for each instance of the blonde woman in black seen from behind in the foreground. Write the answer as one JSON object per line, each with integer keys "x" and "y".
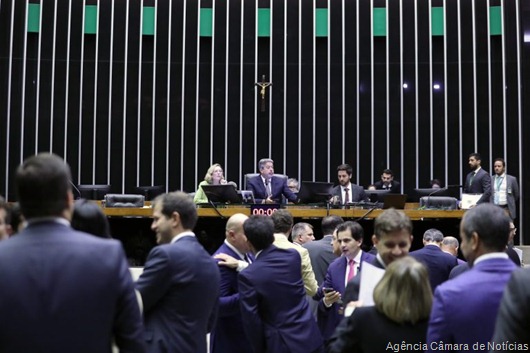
{"x": 403, "y": 300}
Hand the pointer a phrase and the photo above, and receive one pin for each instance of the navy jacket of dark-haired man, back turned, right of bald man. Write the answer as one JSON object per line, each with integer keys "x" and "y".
{"x": 273, "y": 305}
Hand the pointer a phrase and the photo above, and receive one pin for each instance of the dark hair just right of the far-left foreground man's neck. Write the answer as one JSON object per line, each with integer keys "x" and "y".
{"x": 89, "y": 218}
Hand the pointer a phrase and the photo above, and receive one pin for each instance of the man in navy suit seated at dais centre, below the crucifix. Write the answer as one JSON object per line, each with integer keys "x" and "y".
{"x": 268, "y": 188}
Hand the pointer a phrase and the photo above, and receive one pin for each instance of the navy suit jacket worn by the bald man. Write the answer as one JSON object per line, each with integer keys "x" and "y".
{"x": 228, "y": 334}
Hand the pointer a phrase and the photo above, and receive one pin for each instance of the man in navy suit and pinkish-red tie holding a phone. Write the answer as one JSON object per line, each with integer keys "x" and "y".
{"x": 330, "y": 310}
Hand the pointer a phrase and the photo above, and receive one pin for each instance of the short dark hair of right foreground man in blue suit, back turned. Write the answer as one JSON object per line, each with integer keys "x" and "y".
{"x": 491, "y": 224}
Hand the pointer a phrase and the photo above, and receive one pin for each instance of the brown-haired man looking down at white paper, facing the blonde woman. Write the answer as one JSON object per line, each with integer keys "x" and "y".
{"x": 392, "y": 238}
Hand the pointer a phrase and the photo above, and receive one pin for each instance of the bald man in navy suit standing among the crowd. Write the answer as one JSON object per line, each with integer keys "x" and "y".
{"x": 228, "y": 334}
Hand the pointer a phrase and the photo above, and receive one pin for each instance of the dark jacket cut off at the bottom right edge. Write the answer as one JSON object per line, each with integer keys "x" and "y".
{"x": 514, "y": 311}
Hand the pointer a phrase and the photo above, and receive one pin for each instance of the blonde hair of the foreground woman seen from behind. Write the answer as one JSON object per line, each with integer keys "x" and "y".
{"x": 404, "y": 293}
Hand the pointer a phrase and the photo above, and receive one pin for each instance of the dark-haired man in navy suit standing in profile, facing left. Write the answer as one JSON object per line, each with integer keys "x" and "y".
{"x": 180, "y": 282}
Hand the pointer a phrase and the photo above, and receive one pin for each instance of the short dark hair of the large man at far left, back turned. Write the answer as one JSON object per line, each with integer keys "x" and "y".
{"x": 42, "y": 185}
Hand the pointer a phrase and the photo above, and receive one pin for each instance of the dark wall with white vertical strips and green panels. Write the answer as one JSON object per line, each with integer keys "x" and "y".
{"x": 133, "y": 99}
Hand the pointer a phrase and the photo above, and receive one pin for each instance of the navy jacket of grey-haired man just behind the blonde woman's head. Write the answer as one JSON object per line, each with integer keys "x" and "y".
{"x": 438, "y": 263}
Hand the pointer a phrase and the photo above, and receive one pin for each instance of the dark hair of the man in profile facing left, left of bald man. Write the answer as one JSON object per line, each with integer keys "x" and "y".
{"x": 181, "y": 203}
